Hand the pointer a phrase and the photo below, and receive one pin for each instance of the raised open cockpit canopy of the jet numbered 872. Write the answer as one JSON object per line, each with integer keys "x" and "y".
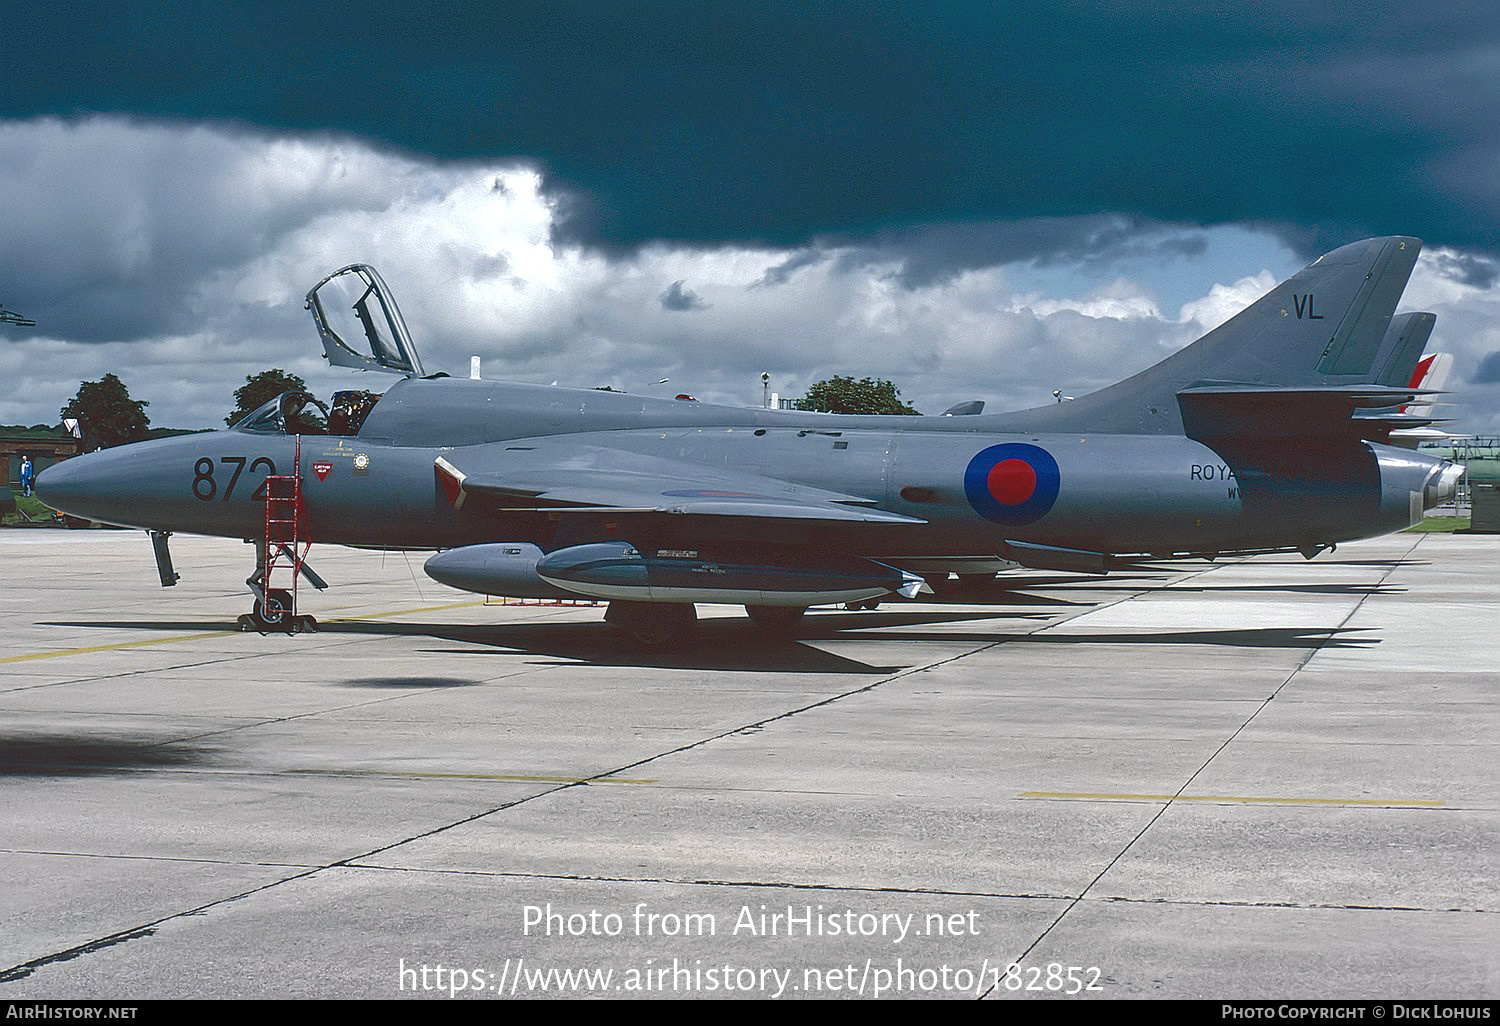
{"x": 361, "y": 325}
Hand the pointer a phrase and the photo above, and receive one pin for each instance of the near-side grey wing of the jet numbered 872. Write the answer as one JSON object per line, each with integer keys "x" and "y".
{"x": 562, "y": 478}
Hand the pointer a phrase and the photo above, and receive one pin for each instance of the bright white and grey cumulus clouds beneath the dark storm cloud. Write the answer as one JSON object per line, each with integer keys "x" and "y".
{"x": 178, "y": 256}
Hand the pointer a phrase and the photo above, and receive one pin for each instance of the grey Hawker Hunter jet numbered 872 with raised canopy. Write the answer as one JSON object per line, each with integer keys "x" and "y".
{"x": 1268, "y": 434}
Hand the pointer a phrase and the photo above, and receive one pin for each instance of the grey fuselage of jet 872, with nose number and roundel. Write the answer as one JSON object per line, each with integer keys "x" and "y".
{"x": 1112, "y": 494}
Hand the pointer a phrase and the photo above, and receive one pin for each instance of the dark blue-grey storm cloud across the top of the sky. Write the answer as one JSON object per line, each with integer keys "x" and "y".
{"x": 785, "y": 122}
